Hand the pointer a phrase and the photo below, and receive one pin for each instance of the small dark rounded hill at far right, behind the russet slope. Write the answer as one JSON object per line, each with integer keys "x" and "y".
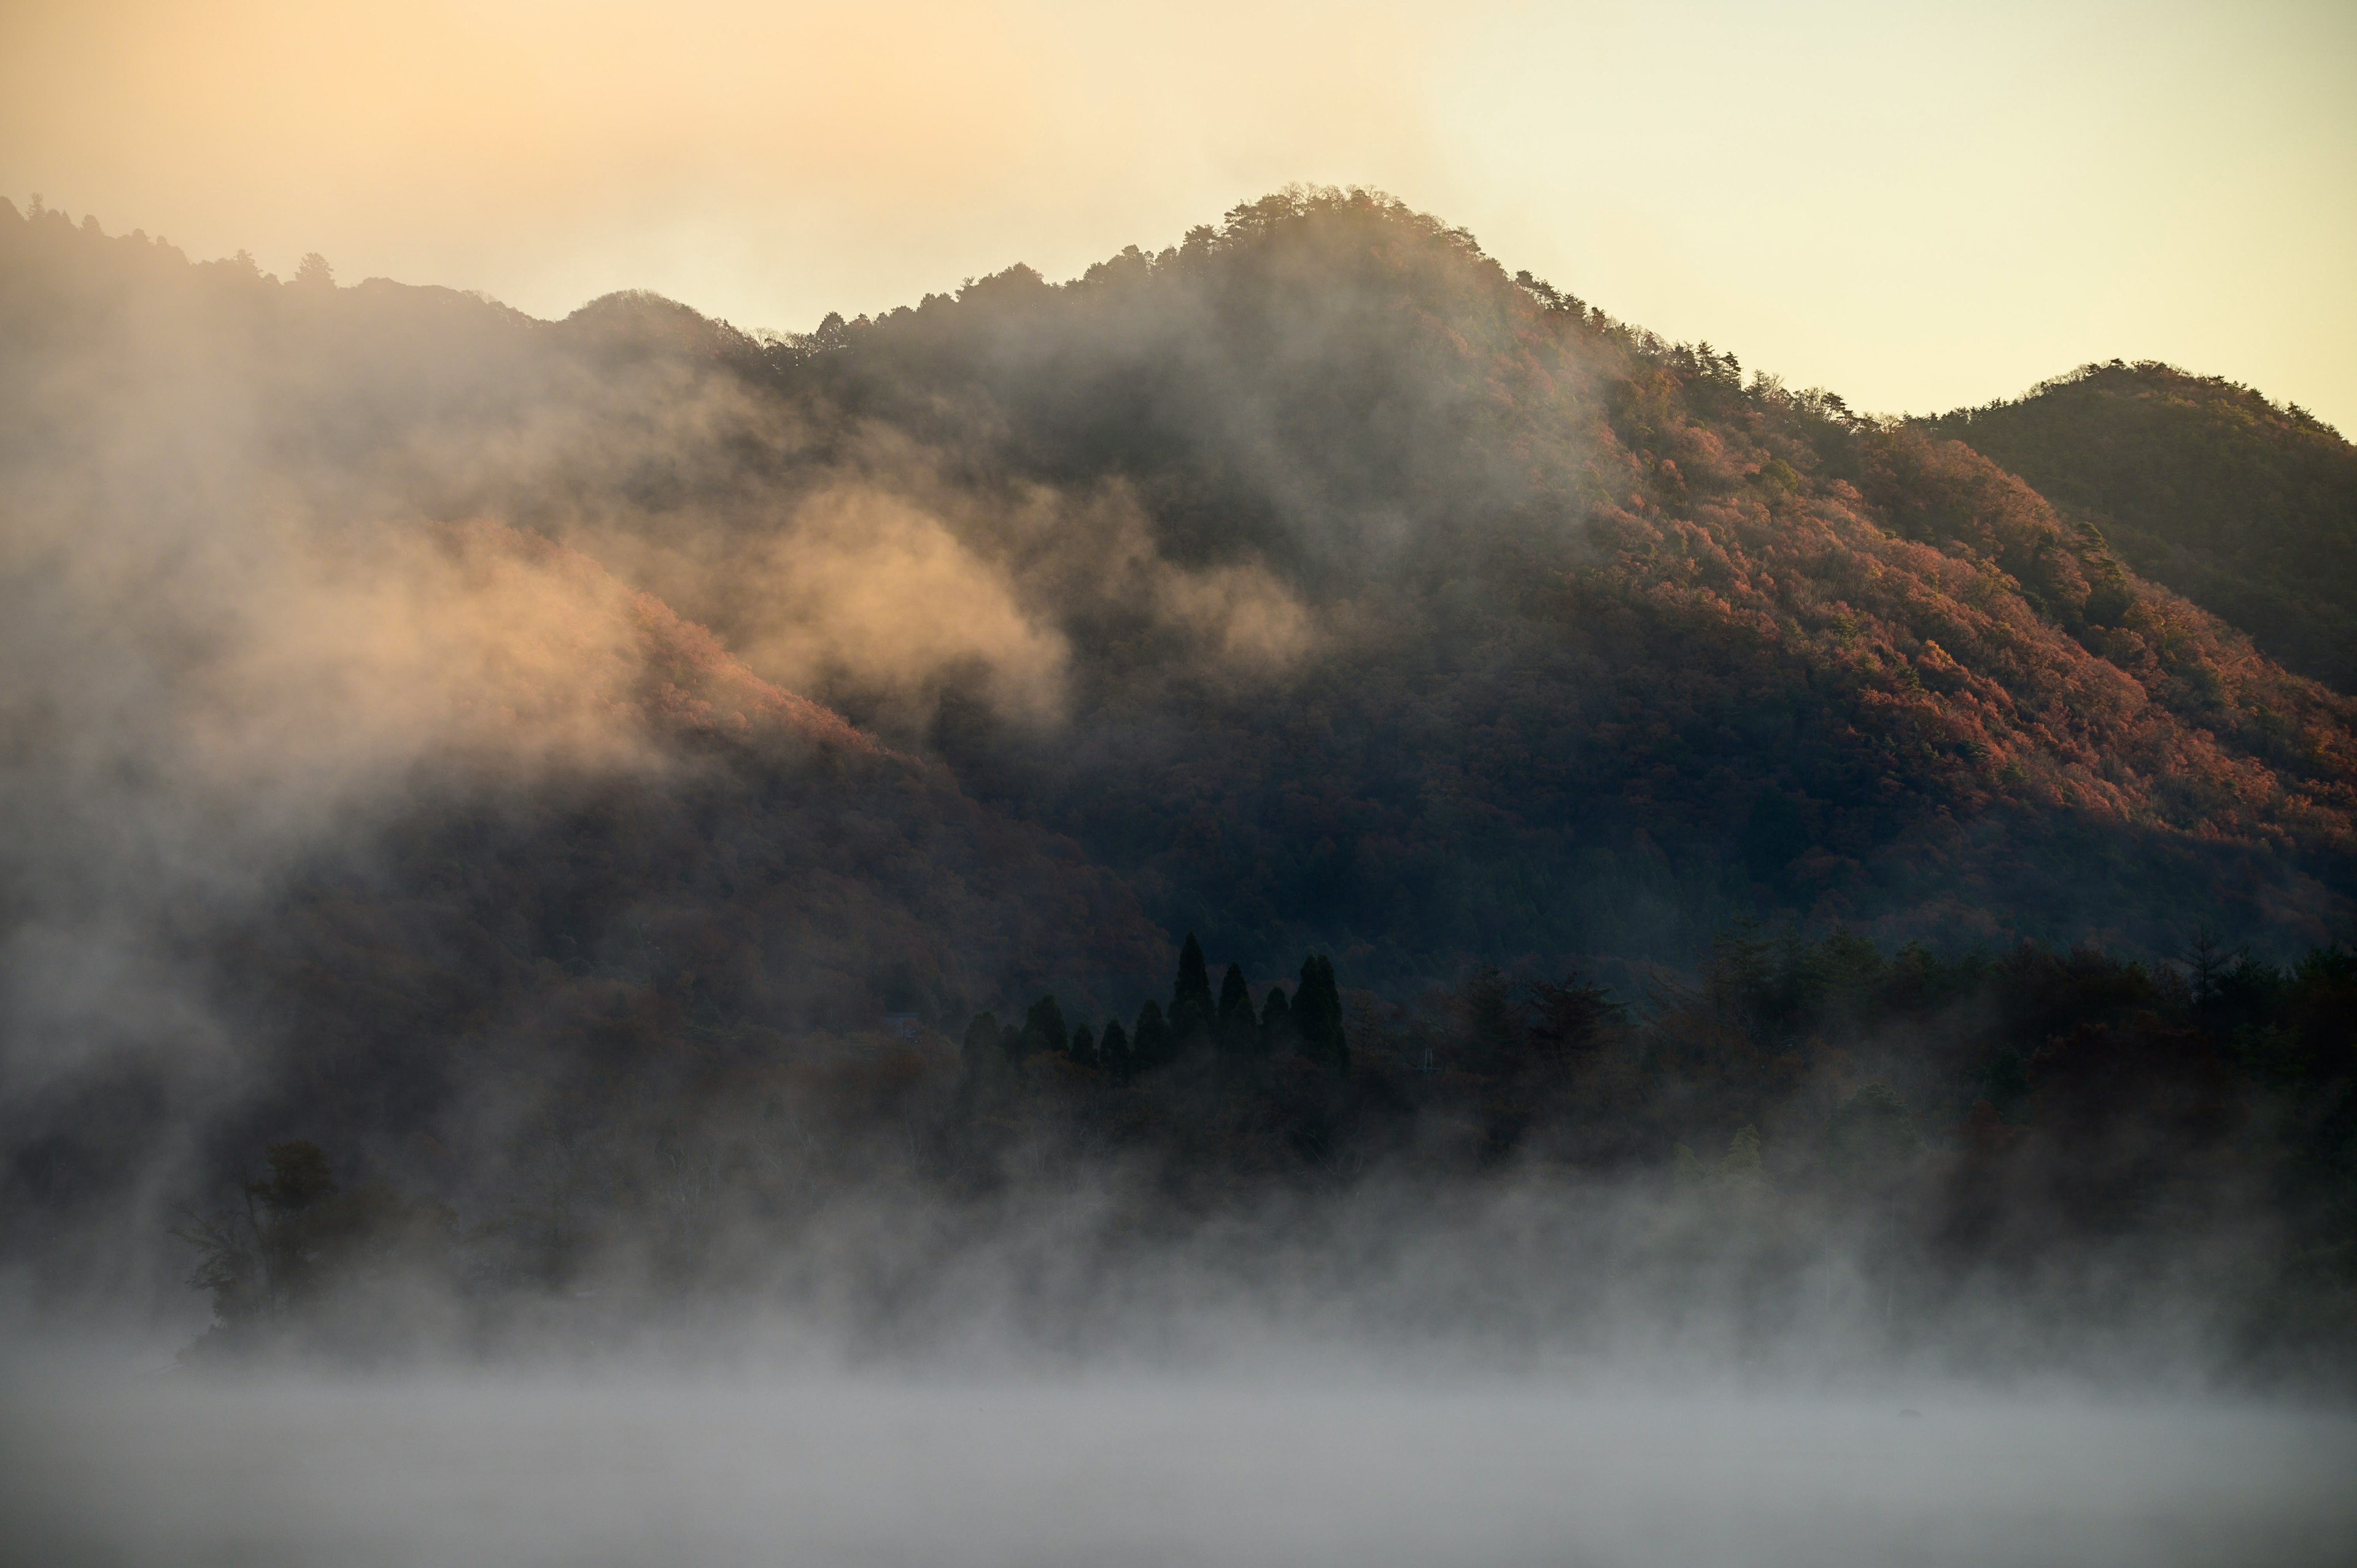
{"x": 2203, "y": 485}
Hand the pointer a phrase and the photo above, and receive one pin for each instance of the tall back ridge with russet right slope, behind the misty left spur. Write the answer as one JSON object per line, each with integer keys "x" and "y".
{"x": 1333, "y": 588}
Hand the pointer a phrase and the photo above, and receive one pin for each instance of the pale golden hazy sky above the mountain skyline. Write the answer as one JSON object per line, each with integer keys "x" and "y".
{"x": 1915, "y": 206}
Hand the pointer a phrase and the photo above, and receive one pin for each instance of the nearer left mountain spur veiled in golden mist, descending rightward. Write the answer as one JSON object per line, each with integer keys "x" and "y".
{"x": 390, "y": 819}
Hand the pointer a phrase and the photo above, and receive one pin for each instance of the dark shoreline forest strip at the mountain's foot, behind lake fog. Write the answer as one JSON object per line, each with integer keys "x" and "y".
{"x": 2047, "y": 1126}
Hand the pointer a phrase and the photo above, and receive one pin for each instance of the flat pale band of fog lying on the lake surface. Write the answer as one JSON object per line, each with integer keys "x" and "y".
{"x": 1380, "y": 1463}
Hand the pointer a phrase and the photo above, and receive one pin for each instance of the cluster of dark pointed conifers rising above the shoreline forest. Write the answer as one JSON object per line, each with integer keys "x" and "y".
{"x": 1307, "y": 1022}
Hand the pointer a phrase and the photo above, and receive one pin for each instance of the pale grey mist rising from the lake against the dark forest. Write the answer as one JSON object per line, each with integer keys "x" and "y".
{"x": 1512, "y": 1376}
